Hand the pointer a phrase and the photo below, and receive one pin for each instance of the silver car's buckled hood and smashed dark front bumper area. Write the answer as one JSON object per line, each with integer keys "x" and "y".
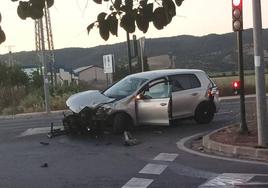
{"x": 89, "y": 110}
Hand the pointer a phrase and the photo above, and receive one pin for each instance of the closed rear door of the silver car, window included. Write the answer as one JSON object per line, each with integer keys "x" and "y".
{"x": 186, "y": 91}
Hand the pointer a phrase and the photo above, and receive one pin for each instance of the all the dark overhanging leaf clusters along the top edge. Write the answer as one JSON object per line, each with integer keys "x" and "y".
{"x": 127, "y": 14}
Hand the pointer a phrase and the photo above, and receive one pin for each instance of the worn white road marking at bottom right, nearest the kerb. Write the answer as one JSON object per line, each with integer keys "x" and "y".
{"x": 228, "y": 179}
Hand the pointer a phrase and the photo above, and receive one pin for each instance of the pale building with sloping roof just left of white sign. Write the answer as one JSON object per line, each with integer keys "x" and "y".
{"x": 91, "y": 73}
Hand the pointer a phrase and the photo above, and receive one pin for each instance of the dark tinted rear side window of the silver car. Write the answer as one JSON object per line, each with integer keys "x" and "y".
{"x": 184, "y": 81}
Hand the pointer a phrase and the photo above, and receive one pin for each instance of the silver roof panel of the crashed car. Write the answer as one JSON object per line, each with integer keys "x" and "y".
{"x": 166, "y": 72}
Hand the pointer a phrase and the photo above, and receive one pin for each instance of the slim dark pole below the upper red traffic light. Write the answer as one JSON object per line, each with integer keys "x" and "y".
{"x": 243, "y": 125}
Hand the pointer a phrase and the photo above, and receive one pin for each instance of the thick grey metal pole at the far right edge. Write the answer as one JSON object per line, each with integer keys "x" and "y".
{"x": 260, "y": 75}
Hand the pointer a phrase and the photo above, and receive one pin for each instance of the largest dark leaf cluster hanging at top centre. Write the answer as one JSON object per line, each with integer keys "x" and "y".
{"x": 129, "y": 14}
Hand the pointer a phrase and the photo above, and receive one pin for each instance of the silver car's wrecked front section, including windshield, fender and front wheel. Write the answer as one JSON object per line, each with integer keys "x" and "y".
{"x": 115, "y": 106}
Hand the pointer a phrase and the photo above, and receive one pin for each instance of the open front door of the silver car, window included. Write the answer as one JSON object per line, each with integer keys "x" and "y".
{"x": 153, "y": 103}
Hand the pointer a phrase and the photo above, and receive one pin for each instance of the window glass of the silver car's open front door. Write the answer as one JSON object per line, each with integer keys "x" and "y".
{"x": 158, "y": 89}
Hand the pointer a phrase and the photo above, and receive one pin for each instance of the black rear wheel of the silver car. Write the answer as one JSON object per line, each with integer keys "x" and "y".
{"x": 204, "y": 113}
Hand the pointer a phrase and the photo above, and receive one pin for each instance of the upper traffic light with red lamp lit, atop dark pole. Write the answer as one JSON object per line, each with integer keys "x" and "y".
{"x": 237, "y": 15}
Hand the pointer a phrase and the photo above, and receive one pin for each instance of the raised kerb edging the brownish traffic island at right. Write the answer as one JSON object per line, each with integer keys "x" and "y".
{"x": 234, "y": 151}
